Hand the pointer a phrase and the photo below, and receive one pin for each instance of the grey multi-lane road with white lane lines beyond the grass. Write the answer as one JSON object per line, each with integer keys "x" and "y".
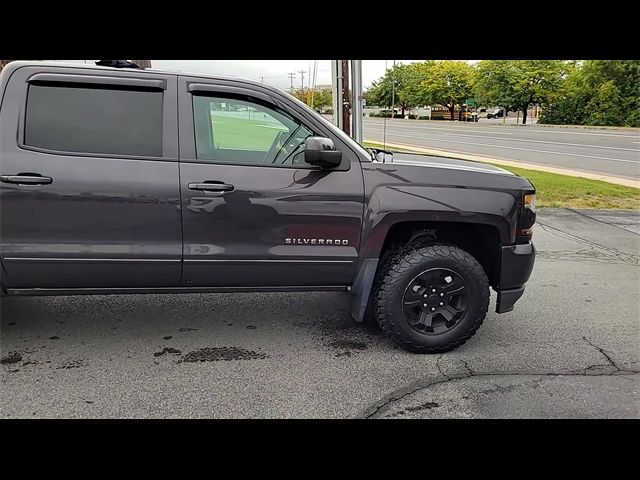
{"x": 610, "y": 152}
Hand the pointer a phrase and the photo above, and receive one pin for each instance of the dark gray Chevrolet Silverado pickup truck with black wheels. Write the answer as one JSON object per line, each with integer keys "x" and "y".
{"x": 119, "y": 180}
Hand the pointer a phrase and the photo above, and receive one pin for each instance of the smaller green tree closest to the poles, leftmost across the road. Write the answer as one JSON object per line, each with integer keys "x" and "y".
{"x": 383, "y": 94}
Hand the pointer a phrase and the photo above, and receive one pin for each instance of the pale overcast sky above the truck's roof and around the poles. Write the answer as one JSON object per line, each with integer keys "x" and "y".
{"x": 275, "y": 72}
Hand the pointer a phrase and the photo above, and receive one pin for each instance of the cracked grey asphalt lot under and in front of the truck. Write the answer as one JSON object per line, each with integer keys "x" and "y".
{"x": 570, "y": 349}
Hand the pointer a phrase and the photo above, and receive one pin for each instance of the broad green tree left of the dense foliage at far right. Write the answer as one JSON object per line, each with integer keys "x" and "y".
{"x": 518, "y": 84}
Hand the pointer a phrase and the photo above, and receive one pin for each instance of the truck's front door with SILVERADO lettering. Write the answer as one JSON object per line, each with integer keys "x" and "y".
{"x": 254, "y": 214}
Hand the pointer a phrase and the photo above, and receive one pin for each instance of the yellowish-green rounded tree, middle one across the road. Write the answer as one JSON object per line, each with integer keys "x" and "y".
{"x": 448, "y": 83}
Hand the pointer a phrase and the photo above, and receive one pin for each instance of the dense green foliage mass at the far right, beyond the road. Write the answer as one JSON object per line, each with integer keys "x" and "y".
{"x": 599, "y": 92}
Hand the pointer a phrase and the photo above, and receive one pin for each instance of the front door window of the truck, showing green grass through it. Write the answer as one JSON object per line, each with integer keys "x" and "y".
{"x": 243, "y": 132}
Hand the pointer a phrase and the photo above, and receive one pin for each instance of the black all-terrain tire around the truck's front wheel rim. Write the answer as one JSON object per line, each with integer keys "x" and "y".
{"x": 399, "y": 273}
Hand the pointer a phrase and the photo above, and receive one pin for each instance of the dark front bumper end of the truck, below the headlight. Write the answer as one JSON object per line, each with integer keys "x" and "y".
{"x": 516, "y": 266}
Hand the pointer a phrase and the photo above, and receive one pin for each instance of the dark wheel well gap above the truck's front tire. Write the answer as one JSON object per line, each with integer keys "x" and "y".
{"x": 481, "y": 241}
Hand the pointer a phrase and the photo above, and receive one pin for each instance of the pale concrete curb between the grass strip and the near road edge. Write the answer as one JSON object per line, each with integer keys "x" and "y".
{"x": 530, "y": 166}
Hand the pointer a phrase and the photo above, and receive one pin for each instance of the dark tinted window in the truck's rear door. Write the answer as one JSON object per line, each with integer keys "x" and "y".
{"x": 94, "y": 120}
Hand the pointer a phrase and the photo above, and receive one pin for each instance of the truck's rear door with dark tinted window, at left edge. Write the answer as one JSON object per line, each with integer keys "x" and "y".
{"x": 89, "y": 192}
